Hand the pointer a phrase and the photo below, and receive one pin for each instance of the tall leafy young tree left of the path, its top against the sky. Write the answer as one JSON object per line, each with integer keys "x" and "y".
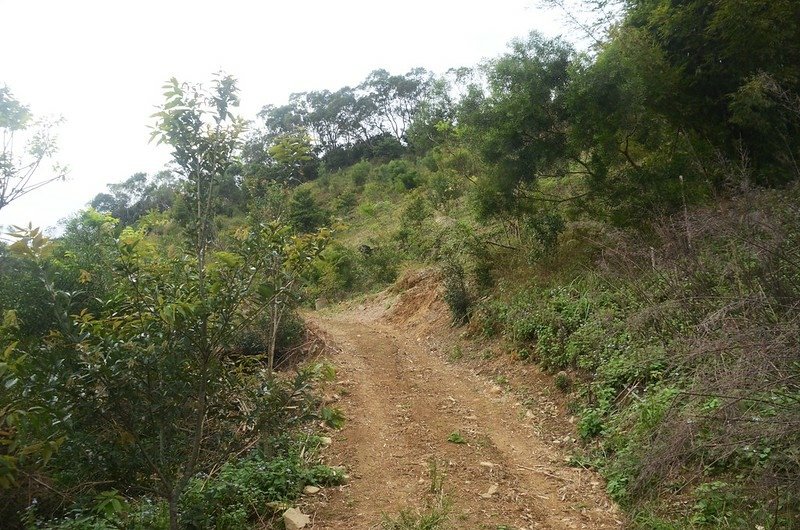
{"x": 144, "y": 385}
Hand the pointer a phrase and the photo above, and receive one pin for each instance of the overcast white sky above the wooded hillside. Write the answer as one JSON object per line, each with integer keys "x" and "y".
{"x": 100, "y": 64}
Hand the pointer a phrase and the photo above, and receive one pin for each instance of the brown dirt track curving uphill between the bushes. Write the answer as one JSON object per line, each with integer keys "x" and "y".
{"x": 402, "y": 402}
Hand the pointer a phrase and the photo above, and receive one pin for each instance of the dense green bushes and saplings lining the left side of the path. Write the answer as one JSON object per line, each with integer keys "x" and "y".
{"x": 137, "y": 362}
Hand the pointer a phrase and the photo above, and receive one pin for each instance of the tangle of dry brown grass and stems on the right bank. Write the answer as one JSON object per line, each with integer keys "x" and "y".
{"x": 729, "y": 307}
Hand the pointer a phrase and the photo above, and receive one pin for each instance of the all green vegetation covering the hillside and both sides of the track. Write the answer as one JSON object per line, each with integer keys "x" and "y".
{"x": 626, "y": 217}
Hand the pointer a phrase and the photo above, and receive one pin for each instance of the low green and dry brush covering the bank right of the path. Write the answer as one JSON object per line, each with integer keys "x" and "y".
{"x": 688, "y": 357}
